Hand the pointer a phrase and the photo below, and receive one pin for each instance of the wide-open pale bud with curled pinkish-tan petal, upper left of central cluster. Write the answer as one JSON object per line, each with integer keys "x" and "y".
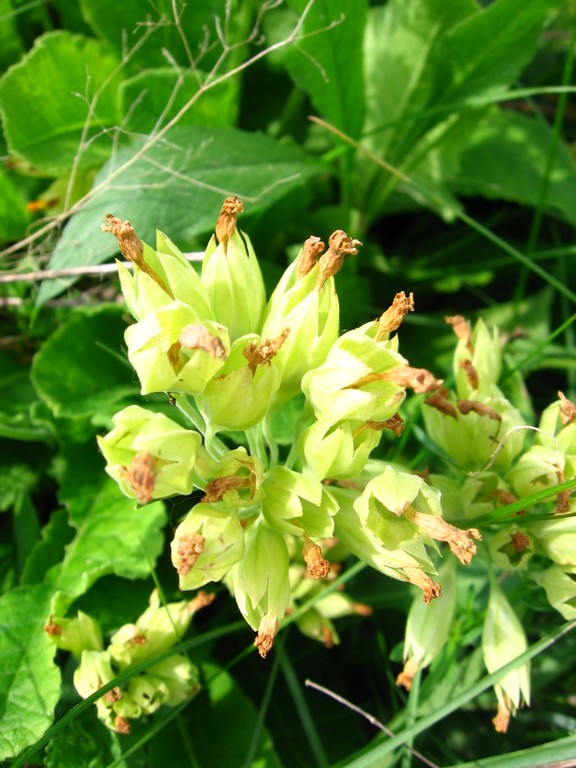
{"x": 172, "y": 350}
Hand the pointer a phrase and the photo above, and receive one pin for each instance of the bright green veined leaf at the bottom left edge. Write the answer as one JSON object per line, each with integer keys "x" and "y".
{"x": 29, "y": 681}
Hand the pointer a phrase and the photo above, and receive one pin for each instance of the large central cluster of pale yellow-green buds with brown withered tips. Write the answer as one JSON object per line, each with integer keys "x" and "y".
{"x": 232, "y": 362}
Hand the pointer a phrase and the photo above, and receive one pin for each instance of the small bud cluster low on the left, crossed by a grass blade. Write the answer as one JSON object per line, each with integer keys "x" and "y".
{"x": 168, "y": 681}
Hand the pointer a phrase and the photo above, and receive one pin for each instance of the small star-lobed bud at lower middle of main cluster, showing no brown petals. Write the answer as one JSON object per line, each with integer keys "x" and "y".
{"x": 297, "y": 503}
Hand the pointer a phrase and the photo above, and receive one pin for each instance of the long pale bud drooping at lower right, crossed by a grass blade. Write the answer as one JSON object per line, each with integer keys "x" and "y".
{"x": 503, "y": 639}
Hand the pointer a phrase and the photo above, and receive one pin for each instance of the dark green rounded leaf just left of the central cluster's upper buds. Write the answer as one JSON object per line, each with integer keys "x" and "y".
{"x": 77, "y": 371}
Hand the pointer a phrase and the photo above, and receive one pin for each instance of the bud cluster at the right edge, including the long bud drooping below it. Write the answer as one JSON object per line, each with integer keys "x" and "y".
{"x": 483, "y": 433}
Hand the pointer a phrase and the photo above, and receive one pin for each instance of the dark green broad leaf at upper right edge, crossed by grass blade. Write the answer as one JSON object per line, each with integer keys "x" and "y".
{"x": 506, "y": 158}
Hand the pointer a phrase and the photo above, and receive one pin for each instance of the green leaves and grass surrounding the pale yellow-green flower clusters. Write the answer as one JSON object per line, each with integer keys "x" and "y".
{"x": 442, "y": 137}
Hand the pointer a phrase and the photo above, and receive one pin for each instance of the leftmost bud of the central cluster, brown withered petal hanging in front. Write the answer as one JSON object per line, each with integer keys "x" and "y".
{"x": 149, "y": 455}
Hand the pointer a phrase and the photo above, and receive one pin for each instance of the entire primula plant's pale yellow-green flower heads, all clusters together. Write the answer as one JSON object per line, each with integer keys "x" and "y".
{"x": 268, "y": 521}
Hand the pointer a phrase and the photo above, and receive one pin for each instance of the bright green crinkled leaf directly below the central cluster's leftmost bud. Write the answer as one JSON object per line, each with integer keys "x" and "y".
{"x": 113, "y": 536}
